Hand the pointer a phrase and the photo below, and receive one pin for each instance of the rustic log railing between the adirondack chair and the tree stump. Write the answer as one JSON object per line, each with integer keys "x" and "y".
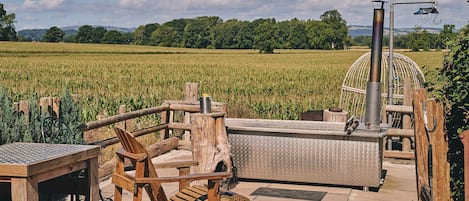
{"x": 167, "y": 125}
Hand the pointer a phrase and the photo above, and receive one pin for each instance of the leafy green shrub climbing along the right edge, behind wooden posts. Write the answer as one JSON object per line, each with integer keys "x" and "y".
{"x": 452, "y": 88}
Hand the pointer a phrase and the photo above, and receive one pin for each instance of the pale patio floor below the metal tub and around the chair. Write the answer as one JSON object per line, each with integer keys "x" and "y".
{"x": 399, "y": 184}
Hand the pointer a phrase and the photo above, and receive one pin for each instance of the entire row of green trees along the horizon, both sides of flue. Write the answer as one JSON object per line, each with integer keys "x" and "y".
{"x": 329, "y": 32}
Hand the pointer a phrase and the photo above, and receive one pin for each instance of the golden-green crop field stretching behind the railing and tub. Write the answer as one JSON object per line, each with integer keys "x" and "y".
{"x": 273, "y": 86}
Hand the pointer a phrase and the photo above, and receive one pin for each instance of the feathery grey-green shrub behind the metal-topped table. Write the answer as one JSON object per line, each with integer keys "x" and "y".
{"x": 40, "y": 127}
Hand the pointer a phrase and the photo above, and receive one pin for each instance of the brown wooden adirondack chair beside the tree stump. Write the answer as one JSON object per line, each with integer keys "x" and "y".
{"x": 146, "y": 176}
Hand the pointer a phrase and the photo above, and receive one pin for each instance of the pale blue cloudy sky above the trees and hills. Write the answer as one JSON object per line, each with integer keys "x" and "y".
{"x": 34, "y": 14}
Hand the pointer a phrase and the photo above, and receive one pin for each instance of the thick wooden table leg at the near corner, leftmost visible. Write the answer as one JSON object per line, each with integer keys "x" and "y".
{"x": 24, "y": 189}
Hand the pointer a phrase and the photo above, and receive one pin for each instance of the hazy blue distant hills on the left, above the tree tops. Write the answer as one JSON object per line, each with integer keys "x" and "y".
{"x": 38, "y": 34}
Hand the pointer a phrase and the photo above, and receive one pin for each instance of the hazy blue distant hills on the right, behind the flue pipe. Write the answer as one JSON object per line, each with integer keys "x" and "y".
{"x": 357, "y": 30}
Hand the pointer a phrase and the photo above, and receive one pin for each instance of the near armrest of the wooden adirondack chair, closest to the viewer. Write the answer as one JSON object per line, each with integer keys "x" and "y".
{"x": 191, "y": 177}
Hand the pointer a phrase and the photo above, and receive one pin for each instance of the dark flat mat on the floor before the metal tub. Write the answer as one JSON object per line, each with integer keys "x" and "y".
{"x": 294, "y": 194}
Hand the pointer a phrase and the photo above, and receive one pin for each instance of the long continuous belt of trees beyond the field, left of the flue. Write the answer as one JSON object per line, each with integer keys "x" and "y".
{"x": 330, "y": 32}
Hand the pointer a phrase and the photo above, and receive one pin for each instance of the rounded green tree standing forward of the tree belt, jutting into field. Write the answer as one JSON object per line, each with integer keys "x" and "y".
{"x": 265, "y": 38}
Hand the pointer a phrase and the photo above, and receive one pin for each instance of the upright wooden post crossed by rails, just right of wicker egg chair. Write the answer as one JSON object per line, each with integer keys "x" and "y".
{"x": 406, "y": 119}
